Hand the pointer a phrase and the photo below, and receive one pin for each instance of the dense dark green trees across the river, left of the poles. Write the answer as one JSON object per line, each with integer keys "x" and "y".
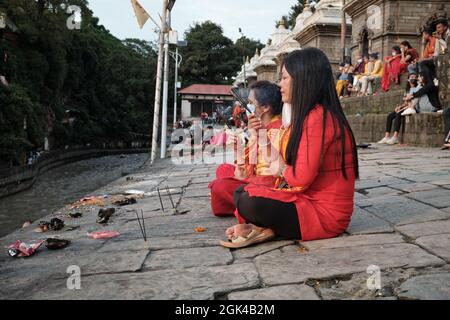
{"x": 109, "y": 83}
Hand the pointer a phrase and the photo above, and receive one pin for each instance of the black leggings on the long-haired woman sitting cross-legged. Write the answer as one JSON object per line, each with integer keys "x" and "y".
{"x": 279, "y": 216}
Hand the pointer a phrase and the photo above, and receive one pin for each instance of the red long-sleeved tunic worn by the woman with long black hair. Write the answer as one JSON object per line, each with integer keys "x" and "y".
{"x": 324, "y": 199}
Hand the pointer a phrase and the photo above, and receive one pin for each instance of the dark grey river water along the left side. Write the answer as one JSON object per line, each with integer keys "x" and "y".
{"x": 61, "y": 186}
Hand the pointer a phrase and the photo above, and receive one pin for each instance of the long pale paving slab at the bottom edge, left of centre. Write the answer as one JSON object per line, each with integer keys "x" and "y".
{"x": 187, "y": 284}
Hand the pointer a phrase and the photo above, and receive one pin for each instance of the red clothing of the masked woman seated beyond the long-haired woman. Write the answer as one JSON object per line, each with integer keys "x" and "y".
{"x": 223, "y": 187}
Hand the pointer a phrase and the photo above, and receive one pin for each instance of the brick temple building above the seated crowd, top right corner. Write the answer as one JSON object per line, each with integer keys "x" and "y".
{"x": 377, "y": 25}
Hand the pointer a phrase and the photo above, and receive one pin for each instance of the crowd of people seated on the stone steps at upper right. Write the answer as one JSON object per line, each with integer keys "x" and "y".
{"x": 421, "y": 92}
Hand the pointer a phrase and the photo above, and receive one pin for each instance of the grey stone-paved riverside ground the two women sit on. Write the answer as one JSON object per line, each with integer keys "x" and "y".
{"x": 401, "y": 225}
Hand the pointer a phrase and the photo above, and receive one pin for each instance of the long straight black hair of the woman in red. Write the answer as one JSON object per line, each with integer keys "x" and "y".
{"x": 312, "y": 84}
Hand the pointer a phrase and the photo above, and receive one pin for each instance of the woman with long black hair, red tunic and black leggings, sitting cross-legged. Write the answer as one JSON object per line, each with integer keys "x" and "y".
{"x": 318, "y": 163}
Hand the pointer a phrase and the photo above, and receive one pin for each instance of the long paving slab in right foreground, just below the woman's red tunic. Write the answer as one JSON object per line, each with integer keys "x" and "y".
{"x": 291, "y": 266}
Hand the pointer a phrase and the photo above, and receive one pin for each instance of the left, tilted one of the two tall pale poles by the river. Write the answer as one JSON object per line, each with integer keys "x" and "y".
{"x": 157, "y": 105}
